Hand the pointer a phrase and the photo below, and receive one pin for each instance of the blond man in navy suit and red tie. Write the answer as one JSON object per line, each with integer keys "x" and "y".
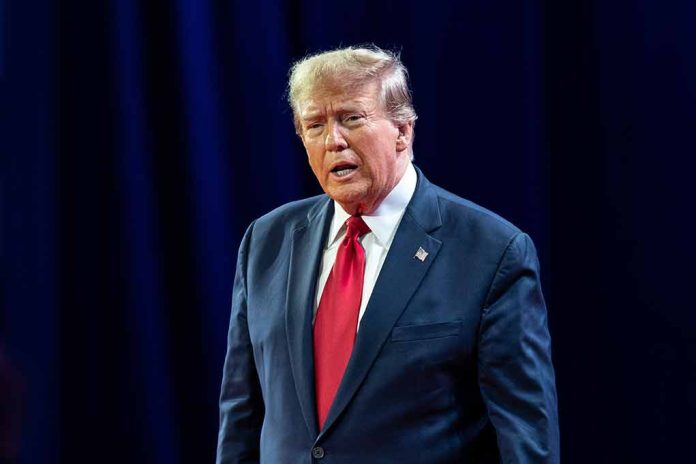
{"x": 388, "y": 321}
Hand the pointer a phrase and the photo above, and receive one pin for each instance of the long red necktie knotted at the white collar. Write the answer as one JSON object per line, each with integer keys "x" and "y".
{"x": 337, "y": 316}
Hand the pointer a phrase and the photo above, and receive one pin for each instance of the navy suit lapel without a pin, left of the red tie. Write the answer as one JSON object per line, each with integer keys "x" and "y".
{"x": 305, "y": 256}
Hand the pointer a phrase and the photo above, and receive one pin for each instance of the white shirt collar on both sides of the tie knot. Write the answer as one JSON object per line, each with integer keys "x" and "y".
{"x": 385, "y": 219}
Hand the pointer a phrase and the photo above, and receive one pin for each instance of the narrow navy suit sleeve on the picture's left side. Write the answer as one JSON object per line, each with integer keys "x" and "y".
{"x": 241, "y": 403}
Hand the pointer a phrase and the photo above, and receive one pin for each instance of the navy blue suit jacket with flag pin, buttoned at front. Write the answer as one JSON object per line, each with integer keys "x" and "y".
{"x": 451, "y": 363}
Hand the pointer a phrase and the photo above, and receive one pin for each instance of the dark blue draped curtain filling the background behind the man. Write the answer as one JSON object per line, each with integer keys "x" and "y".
{"x": 138, "y": 139}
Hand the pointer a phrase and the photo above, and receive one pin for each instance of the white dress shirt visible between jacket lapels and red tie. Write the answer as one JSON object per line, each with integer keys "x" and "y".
{"x": 383, "y": 223}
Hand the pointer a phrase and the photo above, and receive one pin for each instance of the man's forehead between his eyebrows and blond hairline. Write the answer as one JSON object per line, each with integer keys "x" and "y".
{"x": 332, "y": 96}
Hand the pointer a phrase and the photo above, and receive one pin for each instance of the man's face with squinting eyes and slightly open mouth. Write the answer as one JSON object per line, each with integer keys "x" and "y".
{"x": 356, "y": 152}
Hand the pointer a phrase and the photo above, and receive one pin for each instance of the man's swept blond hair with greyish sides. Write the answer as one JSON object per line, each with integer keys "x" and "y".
{"x": 349, "y": 68}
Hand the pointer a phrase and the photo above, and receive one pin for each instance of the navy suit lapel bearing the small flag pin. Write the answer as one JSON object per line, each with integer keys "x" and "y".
{"x": 399, "y": 278}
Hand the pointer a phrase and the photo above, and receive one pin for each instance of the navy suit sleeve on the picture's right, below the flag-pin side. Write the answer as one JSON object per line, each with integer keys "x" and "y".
{"x": 516, "y": 376}
